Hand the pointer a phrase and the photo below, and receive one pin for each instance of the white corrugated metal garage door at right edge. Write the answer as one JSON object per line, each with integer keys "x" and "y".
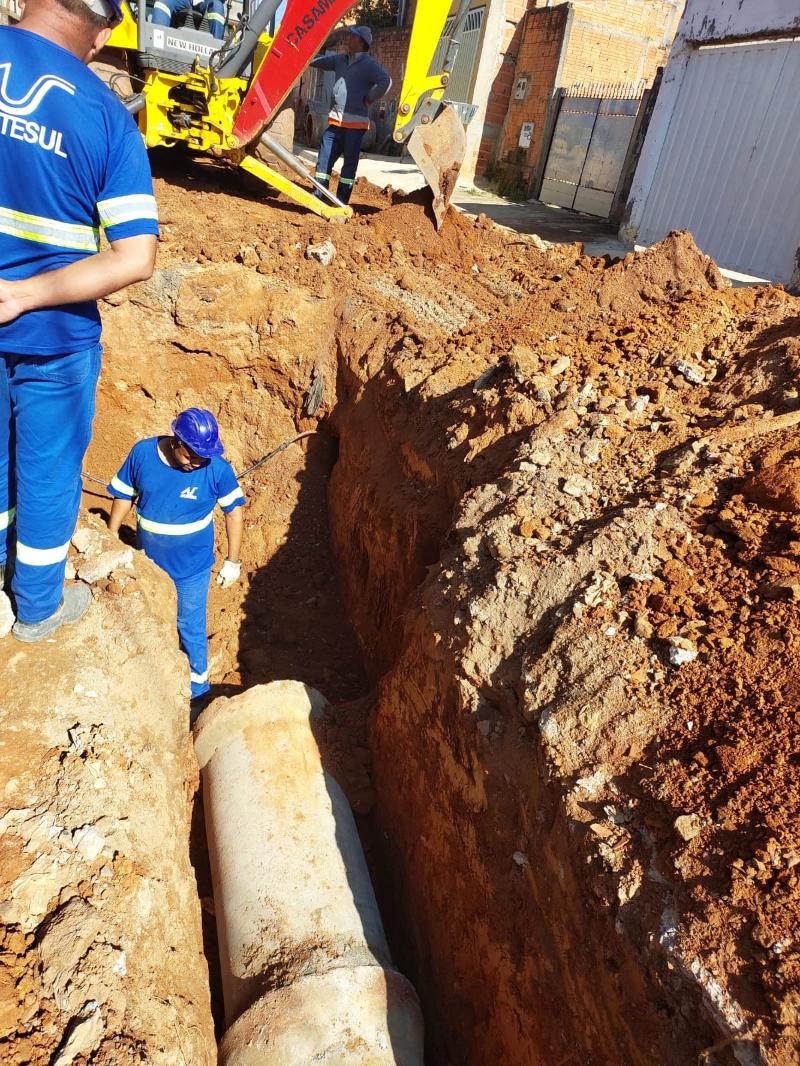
{"x": 730, "y": 169}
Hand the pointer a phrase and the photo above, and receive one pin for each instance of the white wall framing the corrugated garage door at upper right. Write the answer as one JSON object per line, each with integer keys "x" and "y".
{"x": 703, "y": 22}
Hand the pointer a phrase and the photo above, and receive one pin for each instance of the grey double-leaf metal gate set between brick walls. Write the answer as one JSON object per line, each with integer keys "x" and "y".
{"x": 588, "y": 151}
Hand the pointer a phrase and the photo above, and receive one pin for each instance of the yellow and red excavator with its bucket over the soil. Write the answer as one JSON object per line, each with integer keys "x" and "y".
{"x": 220, "y": 98}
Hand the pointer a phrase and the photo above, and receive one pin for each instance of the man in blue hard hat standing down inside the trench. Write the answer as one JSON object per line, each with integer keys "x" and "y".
{"x": 178, "y": 482}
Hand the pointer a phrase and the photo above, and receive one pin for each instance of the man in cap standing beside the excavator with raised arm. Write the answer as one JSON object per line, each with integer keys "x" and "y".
{"x": 361, "y": 82}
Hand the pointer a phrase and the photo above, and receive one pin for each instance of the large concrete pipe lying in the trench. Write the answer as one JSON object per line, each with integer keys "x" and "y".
{"x": 300, "y": 933}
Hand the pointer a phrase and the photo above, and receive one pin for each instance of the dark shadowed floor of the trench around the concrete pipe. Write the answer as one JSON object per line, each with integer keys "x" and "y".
{"x": 295, "y": 626}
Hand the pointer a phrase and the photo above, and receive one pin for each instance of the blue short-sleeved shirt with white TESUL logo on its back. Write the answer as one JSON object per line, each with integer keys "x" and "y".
{"x": 72, "y": 160}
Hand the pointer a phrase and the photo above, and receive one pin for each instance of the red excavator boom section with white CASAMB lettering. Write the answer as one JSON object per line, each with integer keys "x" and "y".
{"x": 303, "y": 29}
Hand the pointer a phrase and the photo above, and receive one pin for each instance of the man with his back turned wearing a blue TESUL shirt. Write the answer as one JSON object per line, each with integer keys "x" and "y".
{"x": 72, "y": 160}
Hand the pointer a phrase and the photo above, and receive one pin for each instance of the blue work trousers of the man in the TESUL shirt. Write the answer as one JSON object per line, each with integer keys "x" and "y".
{"x": 47, "y": 405}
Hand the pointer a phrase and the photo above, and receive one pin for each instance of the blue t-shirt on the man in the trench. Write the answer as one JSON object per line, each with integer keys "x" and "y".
{"x": 175, "y": 508}
